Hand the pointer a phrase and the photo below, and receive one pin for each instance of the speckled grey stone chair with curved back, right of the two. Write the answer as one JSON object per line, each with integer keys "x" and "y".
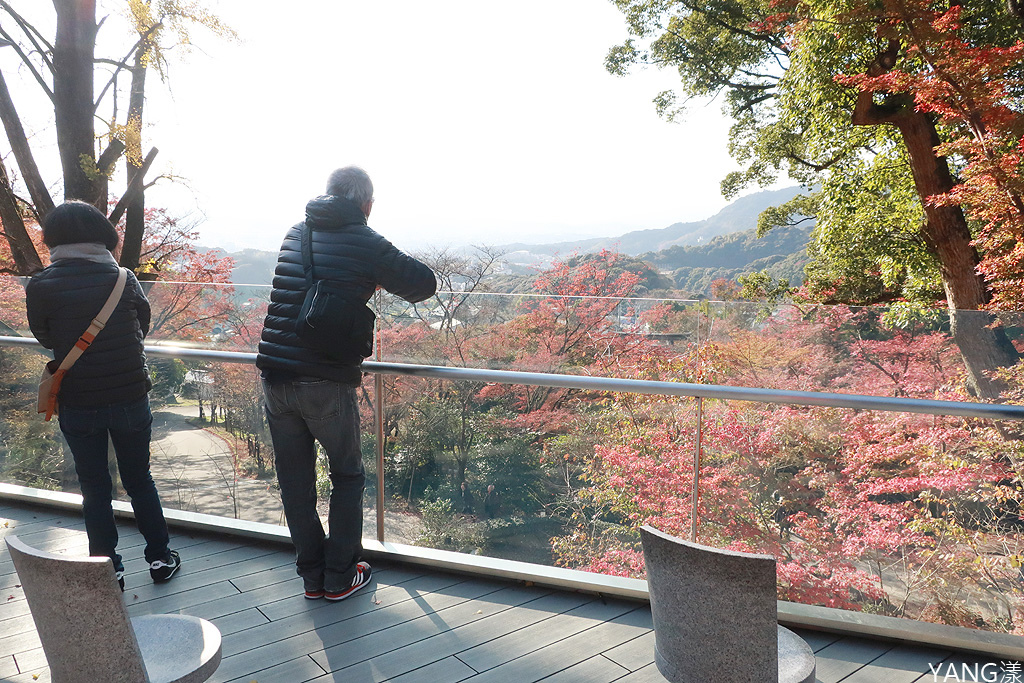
{"x": 716, "y": 618}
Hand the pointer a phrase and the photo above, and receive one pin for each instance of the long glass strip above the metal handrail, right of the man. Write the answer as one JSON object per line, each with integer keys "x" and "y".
{"x": 872, "y": 351}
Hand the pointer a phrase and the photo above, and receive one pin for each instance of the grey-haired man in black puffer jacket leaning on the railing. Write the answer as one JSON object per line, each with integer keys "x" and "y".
{"x": 311, "y": 394}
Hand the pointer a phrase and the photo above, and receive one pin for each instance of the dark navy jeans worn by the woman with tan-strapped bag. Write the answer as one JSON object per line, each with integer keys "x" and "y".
{"x": 130, "y": 428}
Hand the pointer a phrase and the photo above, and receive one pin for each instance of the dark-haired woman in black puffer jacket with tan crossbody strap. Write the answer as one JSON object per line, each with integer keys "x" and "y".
{"x": 106, "y": 394}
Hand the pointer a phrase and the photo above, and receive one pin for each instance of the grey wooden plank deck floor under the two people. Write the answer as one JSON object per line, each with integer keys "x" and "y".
{"x": 409, "y": 625}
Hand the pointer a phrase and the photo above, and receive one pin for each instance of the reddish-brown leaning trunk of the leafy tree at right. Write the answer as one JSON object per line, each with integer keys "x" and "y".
{"x": 983, "y": 341}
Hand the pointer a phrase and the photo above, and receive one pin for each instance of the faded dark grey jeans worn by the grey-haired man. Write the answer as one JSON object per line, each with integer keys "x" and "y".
{"x": 302, "y": 412}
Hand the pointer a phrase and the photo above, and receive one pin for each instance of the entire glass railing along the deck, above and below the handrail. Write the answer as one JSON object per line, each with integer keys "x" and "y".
{"x": 895, "y": 514}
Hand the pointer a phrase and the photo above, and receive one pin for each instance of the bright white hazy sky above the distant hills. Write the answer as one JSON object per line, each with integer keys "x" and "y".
{"x": 480, "y": 122}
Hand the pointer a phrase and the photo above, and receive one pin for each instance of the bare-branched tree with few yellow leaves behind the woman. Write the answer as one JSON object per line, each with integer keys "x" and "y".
{"x": 66, "y": 71}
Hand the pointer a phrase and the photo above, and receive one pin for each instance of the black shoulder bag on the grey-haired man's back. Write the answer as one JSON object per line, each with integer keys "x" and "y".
{"x": 331, "y": 320}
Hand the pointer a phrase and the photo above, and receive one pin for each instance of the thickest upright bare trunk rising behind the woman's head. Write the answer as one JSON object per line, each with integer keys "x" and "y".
{"x": 73, "y": 92}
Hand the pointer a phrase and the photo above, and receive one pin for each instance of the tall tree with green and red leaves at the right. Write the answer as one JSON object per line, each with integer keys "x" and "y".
{"x": 844, "y": 97}
